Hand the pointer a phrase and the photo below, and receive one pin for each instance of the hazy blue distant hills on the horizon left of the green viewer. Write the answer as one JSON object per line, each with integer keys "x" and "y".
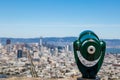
{"x": 36, "y": 40}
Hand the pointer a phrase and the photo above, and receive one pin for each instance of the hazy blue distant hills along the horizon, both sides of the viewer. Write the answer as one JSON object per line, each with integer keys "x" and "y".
{"x": 110, "y": 42}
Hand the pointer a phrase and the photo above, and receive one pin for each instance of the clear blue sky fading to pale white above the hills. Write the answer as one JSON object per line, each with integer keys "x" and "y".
{"x": 59, "y": 18}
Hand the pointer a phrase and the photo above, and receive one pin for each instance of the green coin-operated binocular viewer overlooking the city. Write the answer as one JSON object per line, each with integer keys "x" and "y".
{"x": 89, "y": 54}
